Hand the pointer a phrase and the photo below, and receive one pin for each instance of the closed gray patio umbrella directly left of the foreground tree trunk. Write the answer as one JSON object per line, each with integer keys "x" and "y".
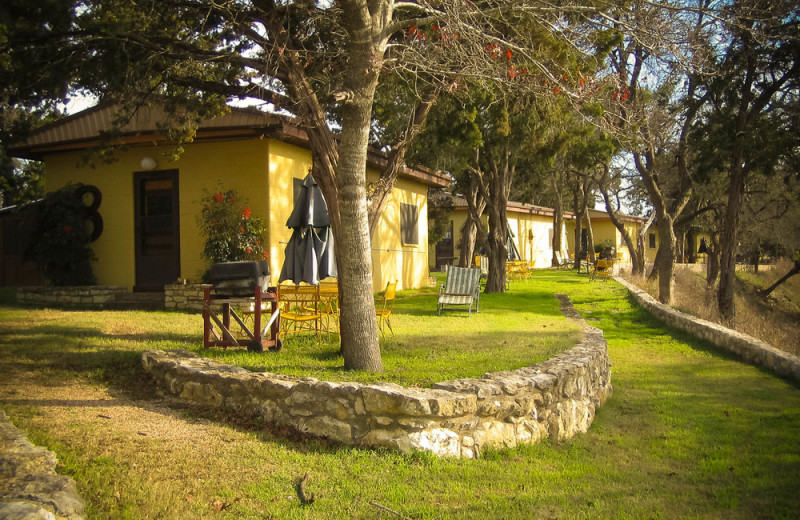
{"x": 309, "y": 254}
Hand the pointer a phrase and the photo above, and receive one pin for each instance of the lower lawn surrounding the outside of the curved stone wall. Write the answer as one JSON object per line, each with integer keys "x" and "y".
{"x": 689, "y": 433}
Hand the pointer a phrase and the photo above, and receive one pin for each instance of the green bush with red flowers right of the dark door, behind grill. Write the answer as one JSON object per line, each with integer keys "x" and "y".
{"x": 230, "y": 230}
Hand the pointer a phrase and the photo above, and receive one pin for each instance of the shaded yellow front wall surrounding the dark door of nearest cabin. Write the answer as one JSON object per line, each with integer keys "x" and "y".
{"x": 238, "y": 165}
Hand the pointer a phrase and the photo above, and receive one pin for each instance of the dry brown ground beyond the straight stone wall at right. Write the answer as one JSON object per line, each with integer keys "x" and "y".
{"x": 775, "y": 320}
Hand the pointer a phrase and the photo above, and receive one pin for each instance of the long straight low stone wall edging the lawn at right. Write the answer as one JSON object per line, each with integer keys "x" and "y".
{"x": 746, "y": 347}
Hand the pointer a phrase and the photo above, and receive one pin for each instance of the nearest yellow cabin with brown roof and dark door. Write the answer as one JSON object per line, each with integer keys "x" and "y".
{"x": 150, "y": 203}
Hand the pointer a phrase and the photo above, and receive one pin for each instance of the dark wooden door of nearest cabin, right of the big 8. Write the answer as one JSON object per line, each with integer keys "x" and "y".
{"x": 157, "y": 229}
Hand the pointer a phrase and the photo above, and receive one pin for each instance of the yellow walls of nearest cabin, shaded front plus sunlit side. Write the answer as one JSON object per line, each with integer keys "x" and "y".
{"x": 262, "y": 171}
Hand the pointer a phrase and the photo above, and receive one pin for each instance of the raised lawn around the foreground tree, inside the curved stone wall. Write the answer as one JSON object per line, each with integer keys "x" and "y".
{"x": 511, "y": 331}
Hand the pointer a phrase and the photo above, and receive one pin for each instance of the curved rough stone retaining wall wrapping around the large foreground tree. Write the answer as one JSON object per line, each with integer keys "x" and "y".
{"x": 557, "y": 398}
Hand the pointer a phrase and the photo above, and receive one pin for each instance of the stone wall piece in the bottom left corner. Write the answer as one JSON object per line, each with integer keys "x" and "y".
{"x": 30, "y": 488}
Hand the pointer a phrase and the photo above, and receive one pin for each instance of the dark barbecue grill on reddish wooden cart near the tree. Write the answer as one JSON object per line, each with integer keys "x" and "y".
{"x": 243, "y": 284}
